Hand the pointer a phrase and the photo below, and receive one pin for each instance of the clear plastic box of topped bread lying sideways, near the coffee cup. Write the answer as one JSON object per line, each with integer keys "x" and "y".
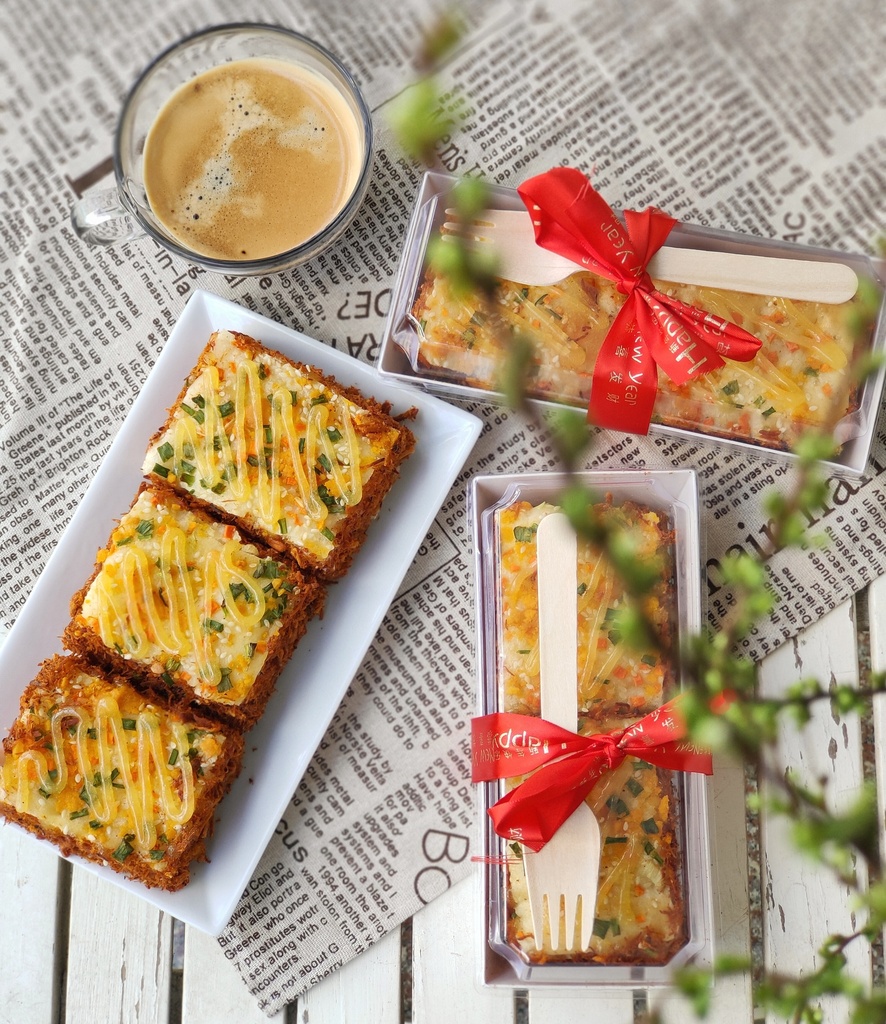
{"x": 443, "y": 345}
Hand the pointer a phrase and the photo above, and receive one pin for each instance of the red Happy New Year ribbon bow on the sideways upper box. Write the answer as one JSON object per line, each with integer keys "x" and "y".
{"x": 651, "y": 330}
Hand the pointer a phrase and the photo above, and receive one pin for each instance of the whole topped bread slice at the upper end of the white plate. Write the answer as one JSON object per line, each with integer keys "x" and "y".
{"x": 281, "y": 450}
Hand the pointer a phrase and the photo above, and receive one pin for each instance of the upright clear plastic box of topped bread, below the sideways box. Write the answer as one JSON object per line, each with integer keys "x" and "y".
{"x": 654, "y": 904}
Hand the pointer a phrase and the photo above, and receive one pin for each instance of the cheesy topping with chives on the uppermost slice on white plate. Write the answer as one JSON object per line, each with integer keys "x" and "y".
{"x": 265, "y": 441}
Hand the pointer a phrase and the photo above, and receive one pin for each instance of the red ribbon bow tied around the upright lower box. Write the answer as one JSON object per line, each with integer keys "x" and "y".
{"x": 505, "y": 745}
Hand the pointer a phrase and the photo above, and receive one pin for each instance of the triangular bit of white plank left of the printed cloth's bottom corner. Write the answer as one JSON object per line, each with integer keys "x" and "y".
{"x": 214, "y": 991}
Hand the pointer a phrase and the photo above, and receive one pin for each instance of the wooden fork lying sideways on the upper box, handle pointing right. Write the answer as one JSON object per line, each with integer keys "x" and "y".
{"x": 511, "y": 234}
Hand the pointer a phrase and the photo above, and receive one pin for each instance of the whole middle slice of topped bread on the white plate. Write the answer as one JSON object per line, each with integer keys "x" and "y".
{"x": 190, "y": 612}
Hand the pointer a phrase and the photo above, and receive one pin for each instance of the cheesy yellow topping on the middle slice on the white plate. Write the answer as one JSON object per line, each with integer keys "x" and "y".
{"x": 188, "y": 598}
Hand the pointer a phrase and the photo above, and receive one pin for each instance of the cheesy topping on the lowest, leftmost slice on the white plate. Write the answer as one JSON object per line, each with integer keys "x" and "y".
{"x": 101, "y": 763}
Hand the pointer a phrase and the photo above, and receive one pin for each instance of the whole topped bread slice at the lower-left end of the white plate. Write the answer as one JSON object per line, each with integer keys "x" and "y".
{"x": 104, "y": 773}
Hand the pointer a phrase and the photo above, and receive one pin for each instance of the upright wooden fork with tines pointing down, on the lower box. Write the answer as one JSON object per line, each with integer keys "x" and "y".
{"x": 565, "y": 873}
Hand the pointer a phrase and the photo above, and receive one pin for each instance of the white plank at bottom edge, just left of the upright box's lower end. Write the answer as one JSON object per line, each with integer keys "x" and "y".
{"x": 445, "y": 988}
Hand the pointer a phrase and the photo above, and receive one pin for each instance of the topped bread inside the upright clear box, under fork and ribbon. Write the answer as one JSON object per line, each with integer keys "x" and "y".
{"x": 640, "y": 917}
